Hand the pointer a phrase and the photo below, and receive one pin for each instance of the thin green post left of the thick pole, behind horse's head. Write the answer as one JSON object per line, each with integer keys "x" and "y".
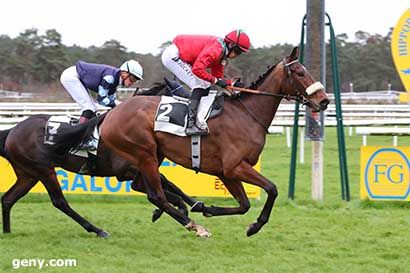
{"x": 294, "y": 148}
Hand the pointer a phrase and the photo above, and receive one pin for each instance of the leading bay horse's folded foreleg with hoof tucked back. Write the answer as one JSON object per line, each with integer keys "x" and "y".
{"x": 235, "y": 187}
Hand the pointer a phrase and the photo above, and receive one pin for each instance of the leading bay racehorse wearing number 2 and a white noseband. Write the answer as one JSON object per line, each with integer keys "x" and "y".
{"x": 233, "y": 146}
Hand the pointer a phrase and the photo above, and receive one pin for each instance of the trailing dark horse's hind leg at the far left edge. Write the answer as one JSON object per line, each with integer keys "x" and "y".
{"x": 17, "y": 191}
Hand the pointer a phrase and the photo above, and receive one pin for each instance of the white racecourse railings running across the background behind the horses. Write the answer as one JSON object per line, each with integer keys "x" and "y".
{"x": 353, "y": 114}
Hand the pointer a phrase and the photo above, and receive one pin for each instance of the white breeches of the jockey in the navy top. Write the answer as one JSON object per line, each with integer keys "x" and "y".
{"x": 71, "y": 82}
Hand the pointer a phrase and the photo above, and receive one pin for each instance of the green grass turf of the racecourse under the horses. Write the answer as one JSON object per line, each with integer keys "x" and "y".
{"x": 301, "y": 236}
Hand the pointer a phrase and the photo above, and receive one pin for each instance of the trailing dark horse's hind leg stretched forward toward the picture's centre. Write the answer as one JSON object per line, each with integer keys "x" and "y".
{"x": 57, "y": 198}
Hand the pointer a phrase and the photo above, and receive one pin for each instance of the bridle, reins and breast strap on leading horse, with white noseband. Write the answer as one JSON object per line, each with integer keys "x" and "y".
{"x": 299, "y": 97}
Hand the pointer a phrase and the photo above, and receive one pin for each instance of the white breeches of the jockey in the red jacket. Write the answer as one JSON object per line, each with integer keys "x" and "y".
{"x": 183, "y": 71}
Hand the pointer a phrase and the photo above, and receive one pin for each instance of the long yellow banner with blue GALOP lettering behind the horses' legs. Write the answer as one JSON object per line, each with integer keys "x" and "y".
{"x": 190, "y": 182}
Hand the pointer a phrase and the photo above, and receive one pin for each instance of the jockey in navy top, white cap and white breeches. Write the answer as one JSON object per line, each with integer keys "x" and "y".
{"x": 100, "y": 78}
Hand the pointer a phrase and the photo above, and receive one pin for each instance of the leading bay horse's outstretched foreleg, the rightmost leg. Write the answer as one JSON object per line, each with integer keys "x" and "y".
{"x": 244, "y": 172}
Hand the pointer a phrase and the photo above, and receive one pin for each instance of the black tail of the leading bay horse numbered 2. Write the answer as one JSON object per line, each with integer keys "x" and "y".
{"x": 73, "y": 136}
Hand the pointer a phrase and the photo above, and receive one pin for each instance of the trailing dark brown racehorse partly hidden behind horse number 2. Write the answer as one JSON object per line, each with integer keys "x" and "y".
{"x": 23, "y": 146}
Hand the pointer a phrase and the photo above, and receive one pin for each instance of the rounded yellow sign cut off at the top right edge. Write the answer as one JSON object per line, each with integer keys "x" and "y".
{"x": 400, "y": 48}
